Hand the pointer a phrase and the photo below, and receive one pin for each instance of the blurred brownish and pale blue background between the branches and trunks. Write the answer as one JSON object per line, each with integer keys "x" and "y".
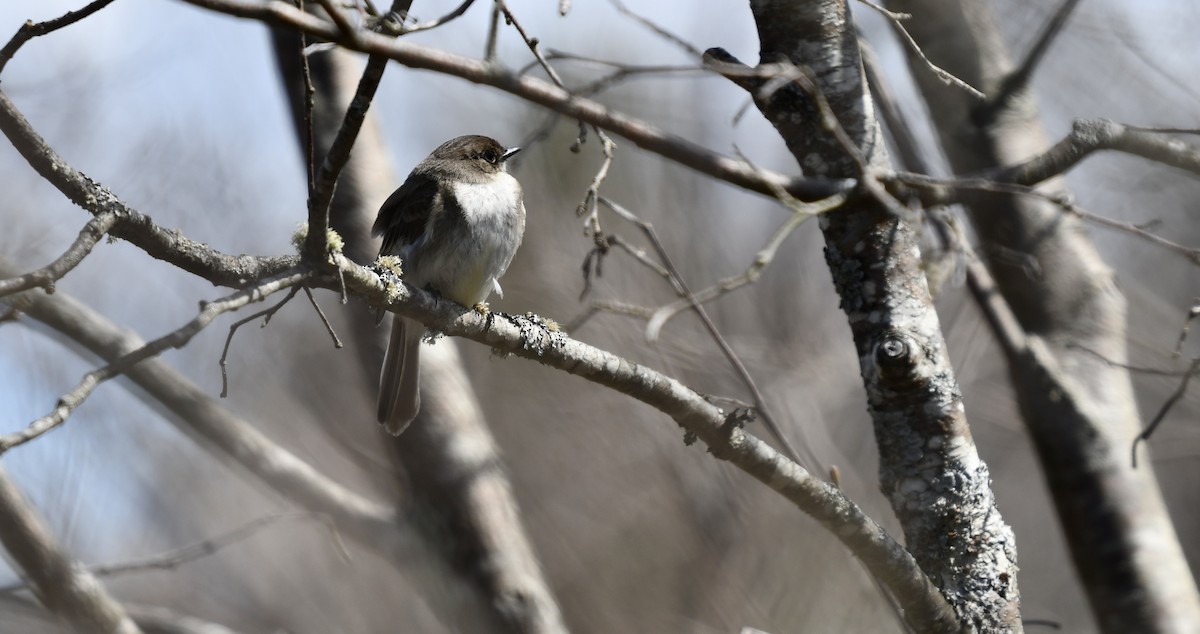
{"x": 182, "y": 113}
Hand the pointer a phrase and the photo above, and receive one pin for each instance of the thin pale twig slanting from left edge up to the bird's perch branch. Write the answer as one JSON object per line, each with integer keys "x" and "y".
{"x": 177, "y": 339}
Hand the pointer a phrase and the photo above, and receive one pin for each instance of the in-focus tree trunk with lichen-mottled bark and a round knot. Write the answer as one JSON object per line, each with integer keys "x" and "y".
{"x": 929, "y": 468}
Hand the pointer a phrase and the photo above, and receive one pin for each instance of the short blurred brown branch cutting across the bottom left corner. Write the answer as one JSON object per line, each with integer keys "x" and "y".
{"x": 63, "y": 585}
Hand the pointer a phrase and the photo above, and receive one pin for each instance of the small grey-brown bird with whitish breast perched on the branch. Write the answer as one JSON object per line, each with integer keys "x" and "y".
{"x": 455, "y": 224}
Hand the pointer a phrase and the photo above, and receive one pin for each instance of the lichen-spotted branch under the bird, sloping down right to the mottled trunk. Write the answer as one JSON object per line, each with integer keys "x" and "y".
{"x": 531, "y": 339}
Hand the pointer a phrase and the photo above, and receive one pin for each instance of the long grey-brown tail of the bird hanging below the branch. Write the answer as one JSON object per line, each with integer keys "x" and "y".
{"x": 399, "y": 396}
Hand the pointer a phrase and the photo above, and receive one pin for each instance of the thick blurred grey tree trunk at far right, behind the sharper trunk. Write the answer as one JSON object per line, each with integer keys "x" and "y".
{"x": 1077, "y": 402}
